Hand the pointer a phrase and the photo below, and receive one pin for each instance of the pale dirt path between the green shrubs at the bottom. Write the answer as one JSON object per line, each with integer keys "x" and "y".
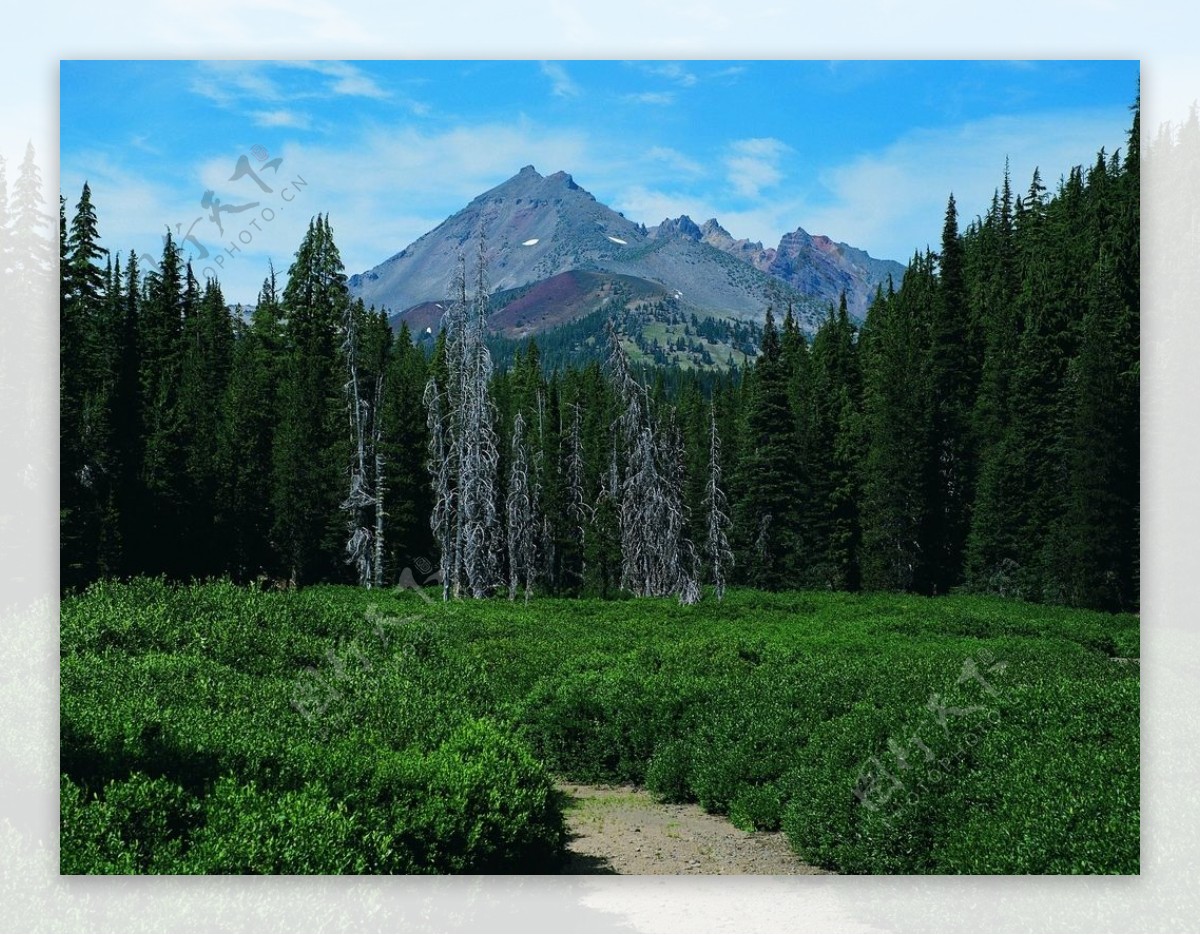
{"x": 623, "y": 830}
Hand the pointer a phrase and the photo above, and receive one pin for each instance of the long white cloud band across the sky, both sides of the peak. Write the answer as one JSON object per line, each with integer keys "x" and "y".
{"x": 388, "y": 187}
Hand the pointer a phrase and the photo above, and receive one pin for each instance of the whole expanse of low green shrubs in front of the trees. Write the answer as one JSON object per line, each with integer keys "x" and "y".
{"x": 219, "y": 729}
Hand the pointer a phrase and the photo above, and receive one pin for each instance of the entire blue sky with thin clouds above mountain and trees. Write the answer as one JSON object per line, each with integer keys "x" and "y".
{"x": 863, "y": 152}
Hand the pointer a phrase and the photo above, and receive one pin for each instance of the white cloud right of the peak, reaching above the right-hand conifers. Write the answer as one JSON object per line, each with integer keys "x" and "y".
{"x": 890, "y": 202}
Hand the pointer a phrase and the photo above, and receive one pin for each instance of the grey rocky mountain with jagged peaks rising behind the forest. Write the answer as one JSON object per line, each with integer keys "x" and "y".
{"x": 556, "y": 255}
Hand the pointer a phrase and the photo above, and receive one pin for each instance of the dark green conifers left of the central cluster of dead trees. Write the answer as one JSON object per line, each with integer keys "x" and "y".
{"x": 195, "y": 443}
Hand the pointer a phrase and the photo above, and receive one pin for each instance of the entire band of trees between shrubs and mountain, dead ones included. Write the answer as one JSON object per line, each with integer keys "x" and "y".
{"x": 980, "y": 430}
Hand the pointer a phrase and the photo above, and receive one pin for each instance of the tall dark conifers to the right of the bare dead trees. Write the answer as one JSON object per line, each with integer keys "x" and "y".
{"x": 982, "y": 429}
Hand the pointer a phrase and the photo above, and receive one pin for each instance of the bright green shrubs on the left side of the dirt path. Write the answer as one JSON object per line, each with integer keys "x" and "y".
{"x": 219, "y": 729}
